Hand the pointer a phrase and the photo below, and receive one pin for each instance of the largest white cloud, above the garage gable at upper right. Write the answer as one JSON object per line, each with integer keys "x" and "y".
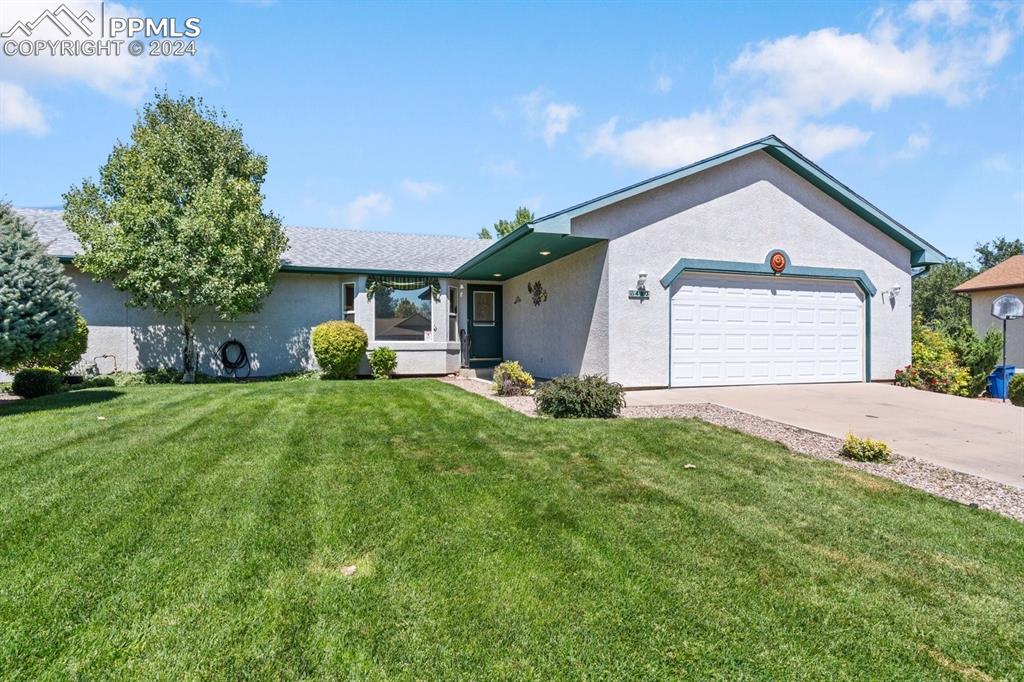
{"x": 794, "y": 87}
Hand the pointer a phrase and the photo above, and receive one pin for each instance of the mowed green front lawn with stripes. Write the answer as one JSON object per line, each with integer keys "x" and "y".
{"x": 202, "y": 532}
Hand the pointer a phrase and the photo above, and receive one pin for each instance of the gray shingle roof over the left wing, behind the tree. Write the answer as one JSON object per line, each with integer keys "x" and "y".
{"x": 316, "y": 248}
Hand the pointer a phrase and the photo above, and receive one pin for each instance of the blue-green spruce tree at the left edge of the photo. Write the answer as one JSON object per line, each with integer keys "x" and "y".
{"x": 37, "y": 300}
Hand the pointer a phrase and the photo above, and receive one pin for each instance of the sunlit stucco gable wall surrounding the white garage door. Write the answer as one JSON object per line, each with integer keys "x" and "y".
{"x": 738, "y": 212}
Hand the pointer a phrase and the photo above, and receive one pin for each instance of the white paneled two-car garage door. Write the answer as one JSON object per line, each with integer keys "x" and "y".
{"x": 757, "y": 330}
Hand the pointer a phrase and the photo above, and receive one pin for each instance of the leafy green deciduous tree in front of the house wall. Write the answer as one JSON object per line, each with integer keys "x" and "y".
{"x": 177, "y": 219}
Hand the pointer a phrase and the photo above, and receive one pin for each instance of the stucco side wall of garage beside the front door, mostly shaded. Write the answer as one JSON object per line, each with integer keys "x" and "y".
{"x": 569, "y": 333}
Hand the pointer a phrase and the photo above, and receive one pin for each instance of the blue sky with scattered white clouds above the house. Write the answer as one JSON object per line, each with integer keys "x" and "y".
{"x": 443, "y": 118}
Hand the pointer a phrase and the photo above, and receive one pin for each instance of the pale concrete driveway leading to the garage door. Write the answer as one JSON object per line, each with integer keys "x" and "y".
{"x": 980, "y": 438}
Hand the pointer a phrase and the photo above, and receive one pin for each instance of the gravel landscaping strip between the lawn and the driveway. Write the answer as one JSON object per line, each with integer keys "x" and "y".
{"x": 956, "y": 486}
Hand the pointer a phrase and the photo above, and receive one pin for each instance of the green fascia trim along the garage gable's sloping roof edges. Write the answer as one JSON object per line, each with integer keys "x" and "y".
{"x": 922, "y": 253}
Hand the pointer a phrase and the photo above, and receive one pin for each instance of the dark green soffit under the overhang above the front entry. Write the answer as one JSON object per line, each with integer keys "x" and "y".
{"x": 520, "y": 252}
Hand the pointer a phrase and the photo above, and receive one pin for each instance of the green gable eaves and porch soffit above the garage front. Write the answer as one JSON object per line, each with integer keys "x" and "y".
{"x": 522, "y": 250}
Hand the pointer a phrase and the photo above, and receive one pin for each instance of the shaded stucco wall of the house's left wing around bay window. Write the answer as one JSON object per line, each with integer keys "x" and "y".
{"x": 277, "y": 337}
